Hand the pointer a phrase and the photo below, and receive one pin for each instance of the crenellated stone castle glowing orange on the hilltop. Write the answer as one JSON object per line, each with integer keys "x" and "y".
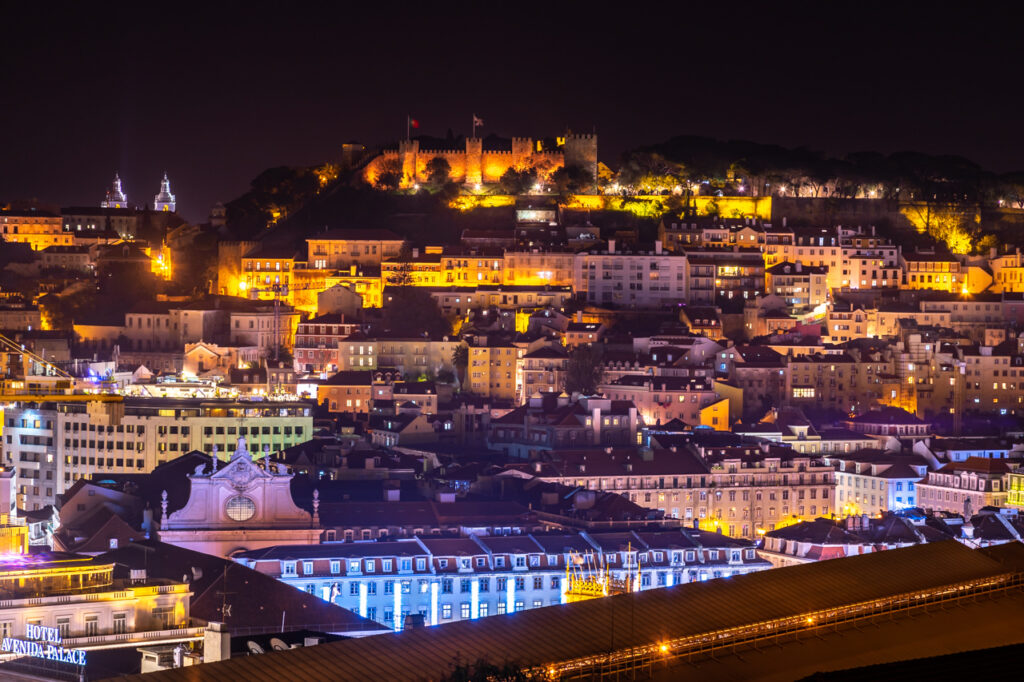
{"x": 476, "y": 164}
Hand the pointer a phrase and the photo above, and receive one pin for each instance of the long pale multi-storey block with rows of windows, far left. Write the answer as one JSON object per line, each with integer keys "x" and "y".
{"x": 56, "y": 444}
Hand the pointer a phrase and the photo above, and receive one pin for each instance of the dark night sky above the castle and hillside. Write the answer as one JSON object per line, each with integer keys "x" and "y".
{"x": 216, "y": 97}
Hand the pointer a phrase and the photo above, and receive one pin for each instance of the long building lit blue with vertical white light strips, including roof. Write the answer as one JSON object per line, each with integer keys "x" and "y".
{"x": 447, "y": 580}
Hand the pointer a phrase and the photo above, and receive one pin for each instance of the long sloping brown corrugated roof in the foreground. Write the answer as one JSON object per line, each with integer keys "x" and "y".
{"x": 563, "y": 633}
